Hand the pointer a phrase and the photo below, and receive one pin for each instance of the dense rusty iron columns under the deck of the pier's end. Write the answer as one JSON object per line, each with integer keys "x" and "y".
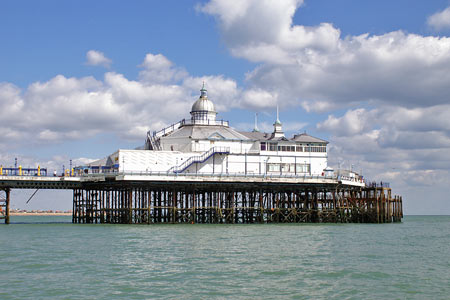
{"x": 189, "y": 202}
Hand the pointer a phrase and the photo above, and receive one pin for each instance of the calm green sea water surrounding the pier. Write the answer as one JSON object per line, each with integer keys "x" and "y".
{"x": 53, "y": 260}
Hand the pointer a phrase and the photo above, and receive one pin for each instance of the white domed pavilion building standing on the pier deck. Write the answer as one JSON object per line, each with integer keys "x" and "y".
{"x": 203, "y": 145}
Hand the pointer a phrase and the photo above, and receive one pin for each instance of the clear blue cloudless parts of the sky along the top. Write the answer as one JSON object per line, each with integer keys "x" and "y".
{"x": 41, "y": 39}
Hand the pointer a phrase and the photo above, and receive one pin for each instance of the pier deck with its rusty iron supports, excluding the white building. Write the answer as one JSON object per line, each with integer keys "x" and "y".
{"x": 192, "y": 198}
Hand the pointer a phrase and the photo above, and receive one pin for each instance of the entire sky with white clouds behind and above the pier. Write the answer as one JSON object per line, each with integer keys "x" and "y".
{"x": 81, "y": 79}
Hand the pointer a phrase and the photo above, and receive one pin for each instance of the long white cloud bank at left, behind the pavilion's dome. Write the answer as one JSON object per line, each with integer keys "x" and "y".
{"x": 63, "y": 109}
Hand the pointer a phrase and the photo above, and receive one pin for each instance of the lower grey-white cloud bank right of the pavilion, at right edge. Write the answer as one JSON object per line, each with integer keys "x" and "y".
{"x": 391, "y": 140}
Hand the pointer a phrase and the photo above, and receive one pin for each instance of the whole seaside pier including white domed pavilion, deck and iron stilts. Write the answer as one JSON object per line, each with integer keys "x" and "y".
{"x": 203, "y": 171}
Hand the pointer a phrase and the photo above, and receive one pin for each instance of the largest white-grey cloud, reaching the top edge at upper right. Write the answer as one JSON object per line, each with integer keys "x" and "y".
{"x": 318, "y": 69}
